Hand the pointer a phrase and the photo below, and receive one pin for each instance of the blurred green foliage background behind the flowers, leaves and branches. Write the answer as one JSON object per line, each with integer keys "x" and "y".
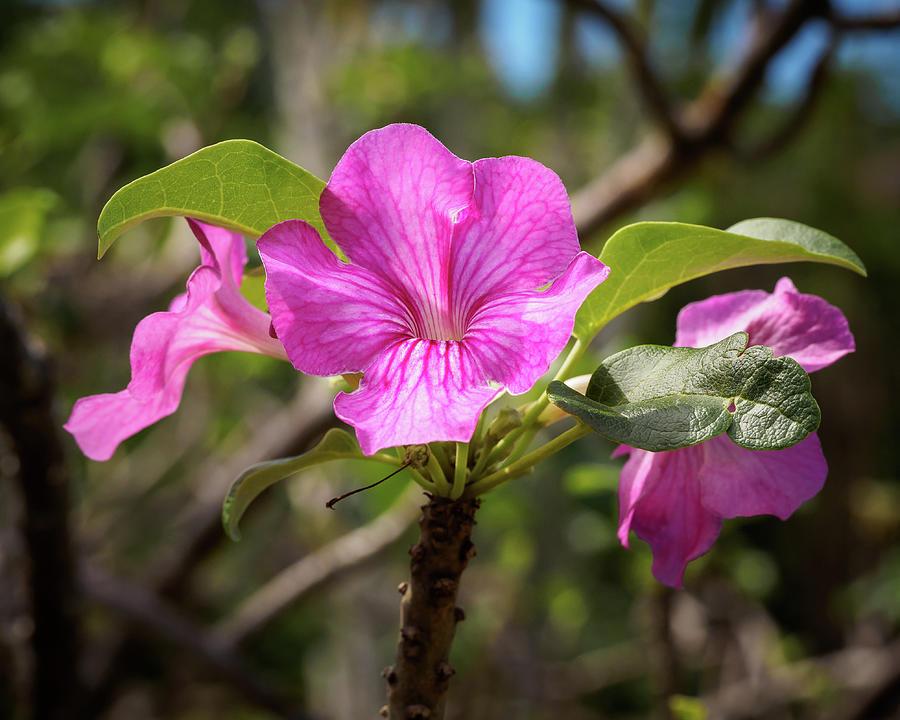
{"x": 94, "y": 94}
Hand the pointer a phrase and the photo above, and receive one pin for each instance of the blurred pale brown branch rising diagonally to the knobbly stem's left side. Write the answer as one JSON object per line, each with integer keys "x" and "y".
{"x": 320, "y": 567}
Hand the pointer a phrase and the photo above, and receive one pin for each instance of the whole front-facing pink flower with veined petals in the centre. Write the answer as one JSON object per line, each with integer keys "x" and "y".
{"x": 441, "y": 306}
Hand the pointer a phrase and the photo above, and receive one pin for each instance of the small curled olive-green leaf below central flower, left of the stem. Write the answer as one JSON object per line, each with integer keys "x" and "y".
{"x": 335, "y": 445}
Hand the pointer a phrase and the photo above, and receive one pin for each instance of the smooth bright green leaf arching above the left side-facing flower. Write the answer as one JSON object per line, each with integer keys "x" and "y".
{"x": 237, "y": 184}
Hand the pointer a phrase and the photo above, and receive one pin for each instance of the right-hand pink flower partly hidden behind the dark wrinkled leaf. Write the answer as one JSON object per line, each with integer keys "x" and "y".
{"x": 676, "y": 500}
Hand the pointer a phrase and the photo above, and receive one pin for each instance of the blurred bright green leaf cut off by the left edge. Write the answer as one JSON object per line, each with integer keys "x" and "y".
{"x": 23, "y": 213}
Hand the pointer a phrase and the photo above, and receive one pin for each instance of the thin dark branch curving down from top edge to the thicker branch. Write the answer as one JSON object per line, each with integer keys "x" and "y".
{"x": 634, "y": 48}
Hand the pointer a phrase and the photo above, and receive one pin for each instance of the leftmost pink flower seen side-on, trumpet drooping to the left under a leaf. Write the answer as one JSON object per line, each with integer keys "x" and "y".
{"x": 210, "y": 317}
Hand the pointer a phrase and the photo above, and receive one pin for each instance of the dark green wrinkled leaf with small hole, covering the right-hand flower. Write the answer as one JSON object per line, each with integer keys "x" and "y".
{"x": 659, "y": 398}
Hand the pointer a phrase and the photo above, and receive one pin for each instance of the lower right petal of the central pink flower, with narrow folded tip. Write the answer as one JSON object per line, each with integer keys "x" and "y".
{"x": 516, "y": 336}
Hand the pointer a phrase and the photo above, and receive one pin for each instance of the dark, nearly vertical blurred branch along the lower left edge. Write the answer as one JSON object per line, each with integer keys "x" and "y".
{"x": 26, "y": 412}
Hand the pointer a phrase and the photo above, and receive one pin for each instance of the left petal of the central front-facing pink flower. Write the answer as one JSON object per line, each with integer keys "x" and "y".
{"x": 331, "y": 317}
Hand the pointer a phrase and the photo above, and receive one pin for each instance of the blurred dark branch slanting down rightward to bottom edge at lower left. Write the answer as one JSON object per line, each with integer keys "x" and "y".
{"x": 152, "y": 614}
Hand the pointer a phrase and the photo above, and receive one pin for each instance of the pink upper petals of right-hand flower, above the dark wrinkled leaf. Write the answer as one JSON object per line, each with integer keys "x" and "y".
{"x": 802, "y": 326}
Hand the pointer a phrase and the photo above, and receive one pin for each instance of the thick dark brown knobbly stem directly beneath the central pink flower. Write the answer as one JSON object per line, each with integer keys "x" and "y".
{"x": 420, "y": 676}
